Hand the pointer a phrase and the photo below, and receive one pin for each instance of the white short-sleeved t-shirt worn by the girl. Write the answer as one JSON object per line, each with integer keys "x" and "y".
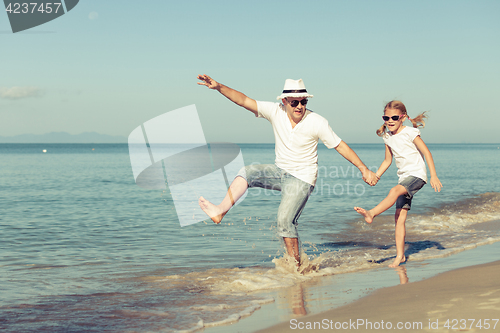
{"x": 409, "y": 160}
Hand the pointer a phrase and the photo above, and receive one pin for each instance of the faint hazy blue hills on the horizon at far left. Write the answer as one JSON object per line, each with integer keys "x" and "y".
{"x": 63, "y": 137}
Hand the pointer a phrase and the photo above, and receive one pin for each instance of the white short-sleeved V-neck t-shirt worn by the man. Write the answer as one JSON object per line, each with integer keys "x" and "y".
{"x": 297, "y": 148}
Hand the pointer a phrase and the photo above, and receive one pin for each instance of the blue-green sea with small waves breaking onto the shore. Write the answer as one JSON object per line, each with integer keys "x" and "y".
{"x": 83, "y": 248}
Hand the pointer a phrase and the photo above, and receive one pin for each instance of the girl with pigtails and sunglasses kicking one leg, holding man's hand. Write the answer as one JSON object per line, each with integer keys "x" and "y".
{"x": 405, "y": 144}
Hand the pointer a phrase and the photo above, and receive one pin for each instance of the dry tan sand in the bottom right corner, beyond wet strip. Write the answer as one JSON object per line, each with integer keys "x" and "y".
{"x": 465, "y": 299}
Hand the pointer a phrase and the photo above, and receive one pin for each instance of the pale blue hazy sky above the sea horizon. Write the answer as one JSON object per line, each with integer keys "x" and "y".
{"x": 109, "y": 66}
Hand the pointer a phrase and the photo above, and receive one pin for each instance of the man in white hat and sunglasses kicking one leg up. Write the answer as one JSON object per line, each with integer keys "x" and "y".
{"x": 297, "y": 131}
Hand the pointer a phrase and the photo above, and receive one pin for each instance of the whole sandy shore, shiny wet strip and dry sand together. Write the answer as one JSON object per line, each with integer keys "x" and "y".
{"x": 450, "y": 289}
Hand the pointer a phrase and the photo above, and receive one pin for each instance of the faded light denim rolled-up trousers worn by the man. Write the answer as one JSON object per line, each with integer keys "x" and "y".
{"x": 294, "y": 193}
